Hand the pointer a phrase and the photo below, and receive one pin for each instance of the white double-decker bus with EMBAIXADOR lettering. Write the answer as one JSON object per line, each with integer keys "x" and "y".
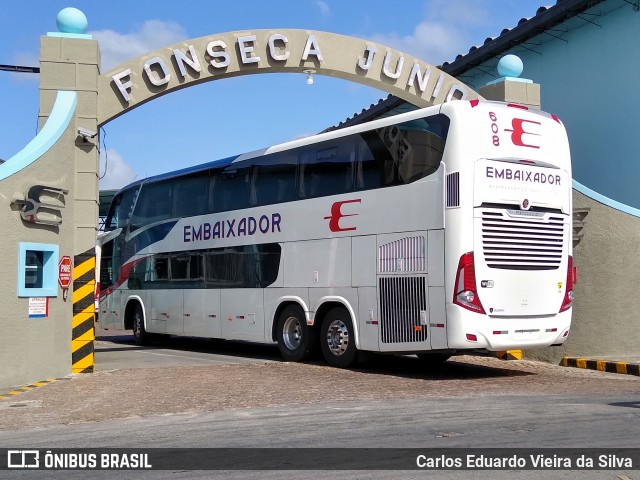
{"x": 438, "y": 231}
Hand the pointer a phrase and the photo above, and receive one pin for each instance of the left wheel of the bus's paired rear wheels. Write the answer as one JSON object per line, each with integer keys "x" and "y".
{"x": 296, "y": 340}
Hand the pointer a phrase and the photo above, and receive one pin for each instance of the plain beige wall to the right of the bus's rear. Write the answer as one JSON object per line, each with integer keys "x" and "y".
{"x": 606, "y": 318}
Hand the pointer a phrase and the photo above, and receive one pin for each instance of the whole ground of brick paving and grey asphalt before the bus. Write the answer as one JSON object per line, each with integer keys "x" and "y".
{"x": 470, "y": 404}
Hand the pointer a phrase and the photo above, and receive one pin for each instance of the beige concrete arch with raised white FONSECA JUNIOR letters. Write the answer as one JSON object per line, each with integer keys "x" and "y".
{"x": 232, "y": 54}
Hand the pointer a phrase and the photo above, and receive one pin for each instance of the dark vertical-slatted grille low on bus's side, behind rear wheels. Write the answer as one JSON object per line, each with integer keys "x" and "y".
{"x": 402, "y": 302}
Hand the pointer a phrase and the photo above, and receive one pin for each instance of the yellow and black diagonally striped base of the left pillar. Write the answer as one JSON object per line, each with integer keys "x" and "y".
{"x": 83, "y": 323}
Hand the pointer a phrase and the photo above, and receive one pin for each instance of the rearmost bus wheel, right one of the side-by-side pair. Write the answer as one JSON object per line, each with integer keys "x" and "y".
{"x": 337, "y": 339}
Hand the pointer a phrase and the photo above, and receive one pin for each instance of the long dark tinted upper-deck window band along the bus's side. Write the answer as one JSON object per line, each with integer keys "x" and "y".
{"x": 388, "y": 156}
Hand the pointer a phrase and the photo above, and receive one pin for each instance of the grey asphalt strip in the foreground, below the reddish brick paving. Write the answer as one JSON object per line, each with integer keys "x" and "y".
{"x": 554, "y": 422}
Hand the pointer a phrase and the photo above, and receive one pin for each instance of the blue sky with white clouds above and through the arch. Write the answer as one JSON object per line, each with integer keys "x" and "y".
{"x": 230, "y": 116}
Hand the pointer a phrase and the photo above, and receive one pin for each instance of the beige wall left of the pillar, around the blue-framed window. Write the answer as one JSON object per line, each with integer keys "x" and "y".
{"x": 34, "y": 349}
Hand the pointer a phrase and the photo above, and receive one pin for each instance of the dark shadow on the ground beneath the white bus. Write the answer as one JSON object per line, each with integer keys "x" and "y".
{"x": 406, "y": 366}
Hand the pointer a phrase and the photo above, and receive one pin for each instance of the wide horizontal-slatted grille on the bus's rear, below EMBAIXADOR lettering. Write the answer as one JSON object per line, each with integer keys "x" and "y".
{"x": 522, "y": 243}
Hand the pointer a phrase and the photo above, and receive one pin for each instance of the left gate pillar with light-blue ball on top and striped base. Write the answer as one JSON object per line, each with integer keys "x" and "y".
{"x": 70, "y": 60}
